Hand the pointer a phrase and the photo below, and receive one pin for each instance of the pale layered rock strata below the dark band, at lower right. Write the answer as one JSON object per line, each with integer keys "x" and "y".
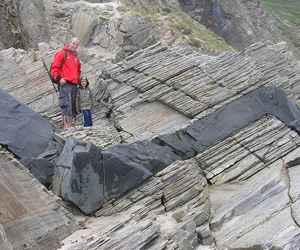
{"x": 253, "y": 201}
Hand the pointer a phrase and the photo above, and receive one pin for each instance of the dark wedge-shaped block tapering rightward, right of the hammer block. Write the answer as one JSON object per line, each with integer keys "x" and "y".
{"x": 126, "y": 166}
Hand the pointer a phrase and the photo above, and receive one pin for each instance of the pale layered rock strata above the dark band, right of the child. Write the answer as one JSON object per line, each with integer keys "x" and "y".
{"x": 191, "y": 84}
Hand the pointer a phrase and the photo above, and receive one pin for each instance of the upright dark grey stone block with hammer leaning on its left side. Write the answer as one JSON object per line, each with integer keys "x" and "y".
{"x": 83, "y": 182}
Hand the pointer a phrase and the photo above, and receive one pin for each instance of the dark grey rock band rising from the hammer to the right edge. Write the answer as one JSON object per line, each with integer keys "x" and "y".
{"x": 95, "y": 177}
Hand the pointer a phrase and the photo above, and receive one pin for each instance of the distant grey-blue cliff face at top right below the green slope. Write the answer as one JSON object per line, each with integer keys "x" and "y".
{"x": 239, "y": 23}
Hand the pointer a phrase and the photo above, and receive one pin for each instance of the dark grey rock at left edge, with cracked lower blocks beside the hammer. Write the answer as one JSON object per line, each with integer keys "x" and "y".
{"x": 30, "y": 137}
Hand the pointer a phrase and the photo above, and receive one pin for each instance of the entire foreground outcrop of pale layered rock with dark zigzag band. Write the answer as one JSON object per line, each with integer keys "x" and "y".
{"x": 187, "y": 151}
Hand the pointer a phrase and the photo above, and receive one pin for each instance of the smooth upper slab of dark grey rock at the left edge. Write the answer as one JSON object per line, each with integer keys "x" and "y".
{"x": 24, "y": 132}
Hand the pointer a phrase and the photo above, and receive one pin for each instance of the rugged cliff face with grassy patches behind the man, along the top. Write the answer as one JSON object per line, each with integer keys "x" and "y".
{"x": 239, "y": 23}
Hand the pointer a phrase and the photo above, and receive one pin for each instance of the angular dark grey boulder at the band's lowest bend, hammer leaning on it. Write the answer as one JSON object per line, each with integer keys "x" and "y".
{"x": 93, "y": 177}
